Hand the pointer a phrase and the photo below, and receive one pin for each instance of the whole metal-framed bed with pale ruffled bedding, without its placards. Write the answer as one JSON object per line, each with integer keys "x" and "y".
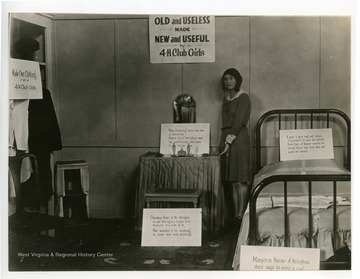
{"x": 313, "y": 195}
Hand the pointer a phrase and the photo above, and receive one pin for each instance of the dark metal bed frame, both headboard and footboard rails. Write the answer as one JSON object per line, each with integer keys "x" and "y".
{"x": 311, "y": 114}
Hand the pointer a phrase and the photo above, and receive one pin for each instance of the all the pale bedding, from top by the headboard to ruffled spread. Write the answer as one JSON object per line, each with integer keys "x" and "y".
{"x": 270, "y": 213}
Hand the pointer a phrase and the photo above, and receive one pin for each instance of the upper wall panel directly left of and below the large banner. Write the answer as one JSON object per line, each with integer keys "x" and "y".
{"x": 144, "y": 91}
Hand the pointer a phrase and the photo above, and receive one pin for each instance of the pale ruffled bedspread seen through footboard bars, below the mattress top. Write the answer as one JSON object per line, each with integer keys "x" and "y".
{"x": 270, "y": 230}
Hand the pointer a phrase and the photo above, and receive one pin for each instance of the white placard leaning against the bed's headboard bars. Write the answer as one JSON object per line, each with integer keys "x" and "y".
{"x": 306, "y": 144}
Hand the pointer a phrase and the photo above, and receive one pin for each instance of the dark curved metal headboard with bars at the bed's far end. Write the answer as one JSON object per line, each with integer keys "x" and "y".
{"x": 303, "y": 119}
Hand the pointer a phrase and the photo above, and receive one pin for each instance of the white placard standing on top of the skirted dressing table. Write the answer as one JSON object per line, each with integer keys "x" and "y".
{"x": 185, "y": 139}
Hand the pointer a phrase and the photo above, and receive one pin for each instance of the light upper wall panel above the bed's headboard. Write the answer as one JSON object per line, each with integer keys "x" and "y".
{"x": 285, "y": 57}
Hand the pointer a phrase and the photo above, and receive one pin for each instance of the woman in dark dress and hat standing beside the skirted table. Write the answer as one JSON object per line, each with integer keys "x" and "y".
{"x": 235, "y": 142}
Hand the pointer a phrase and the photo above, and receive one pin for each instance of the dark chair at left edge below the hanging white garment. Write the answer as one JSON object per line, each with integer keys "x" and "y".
{"x": 22, "y": 220}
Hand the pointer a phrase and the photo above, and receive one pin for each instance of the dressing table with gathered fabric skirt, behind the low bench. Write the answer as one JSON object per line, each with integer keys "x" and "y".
{"x": 183, "y": 173}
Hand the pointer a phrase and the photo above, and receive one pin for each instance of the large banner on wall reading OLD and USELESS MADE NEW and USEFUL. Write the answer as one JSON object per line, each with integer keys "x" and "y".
{"x": 182, "y": 39}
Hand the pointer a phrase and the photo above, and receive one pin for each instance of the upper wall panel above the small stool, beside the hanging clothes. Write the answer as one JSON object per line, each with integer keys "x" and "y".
{"x": 85, "y": 79}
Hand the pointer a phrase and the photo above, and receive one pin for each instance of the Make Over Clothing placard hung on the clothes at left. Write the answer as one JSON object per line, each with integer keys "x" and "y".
{"x": 25, "y": 80}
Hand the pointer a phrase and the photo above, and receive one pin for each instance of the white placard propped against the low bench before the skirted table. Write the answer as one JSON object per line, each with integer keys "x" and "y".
{"x": 171, "y": 227}
